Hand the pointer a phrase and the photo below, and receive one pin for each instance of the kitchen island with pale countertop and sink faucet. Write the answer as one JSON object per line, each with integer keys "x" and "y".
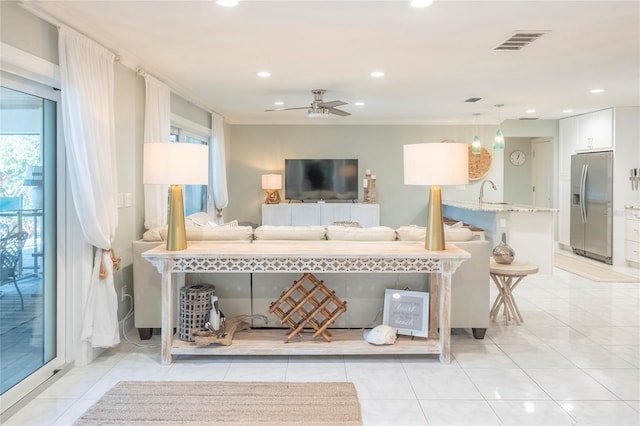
{"x": 529, "y": 229}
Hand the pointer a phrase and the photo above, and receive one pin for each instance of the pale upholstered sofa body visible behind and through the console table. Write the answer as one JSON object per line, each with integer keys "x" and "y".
{"x": 252, "y": 293}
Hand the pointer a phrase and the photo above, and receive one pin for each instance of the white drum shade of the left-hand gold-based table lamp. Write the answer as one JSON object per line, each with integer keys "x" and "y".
{"x": 176, "y": 163}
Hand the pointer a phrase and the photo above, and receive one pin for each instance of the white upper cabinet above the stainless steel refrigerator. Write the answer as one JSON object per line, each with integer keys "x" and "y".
{"x": 595, "y": 131}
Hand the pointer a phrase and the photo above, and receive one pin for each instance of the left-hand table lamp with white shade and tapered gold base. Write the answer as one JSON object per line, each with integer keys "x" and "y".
{"x": 175, "y": 164}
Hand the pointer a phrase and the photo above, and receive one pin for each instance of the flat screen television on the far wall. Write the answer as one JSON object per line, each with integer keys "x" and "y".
{"x": 315, "y": 180}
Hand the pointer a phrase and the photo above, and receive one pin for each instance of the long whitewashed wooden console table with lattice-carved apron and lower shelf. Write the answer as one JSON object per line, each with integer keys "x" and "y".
{"x": 314, "y": 257}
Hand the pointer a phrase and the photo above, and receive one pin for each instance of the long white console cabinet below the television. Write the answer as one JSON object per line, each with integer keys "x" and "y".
{"x": 322, "y": 214}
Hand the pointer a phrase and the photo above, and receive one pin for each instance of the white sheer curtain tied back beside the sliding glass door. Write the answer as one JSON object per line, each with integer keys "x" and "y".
{"x": 87, "y": 90}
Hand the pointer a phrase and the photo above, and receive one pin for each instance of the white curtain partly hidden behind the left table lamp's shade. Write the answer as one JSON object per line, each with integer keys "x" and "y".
{"x": 157, "y": 128}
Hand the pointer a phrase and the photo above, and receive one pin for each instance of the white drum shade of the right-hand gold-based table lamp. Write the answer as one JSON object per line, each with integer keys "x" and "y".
{"x": 436, "y": 164}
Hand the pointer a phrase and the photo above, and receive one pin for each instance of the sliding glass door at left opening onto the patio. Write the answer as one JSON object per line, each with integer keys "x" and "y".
{"x": 29, "y": 336}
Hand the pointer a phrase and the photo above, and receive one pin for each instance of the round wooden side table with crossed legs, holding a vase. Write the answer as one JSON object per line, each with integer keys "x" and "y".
{"x": 506, "y": 278}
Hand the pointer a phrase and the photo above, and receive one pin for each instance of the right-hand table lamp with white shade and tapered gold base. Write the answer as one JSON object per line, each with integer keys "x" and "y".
{"x": 435, "y": 164}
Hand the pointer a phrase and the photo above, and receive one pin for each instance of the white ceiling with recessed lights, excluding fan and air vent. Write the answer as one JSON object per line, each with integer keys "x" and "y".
{"x": 433, "y": 58}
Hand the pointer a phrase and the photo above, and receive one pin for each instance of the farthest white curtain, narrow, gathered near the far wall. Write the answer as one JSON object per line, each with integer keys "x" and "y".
{"x": 217, "y": 197}
